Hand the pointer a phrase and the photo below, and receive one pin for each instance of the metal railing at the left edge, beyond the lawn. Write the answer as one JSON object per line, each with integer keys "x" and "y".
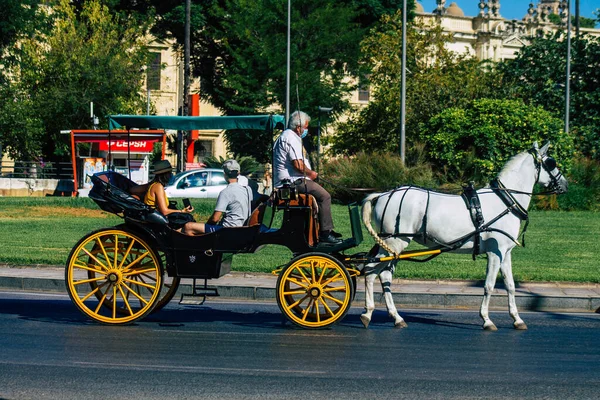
{"x": 36, "y": 170}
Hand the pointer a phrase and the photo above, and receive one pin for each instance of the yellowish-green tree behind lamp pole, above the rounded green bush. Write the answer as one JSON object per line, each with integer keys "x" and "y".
{"x": 437, "y": 78}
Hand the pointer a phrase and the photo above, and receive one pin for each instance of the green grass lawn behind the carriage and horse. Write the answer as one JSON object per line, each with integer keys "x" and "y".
{"x": 560, "y": 246}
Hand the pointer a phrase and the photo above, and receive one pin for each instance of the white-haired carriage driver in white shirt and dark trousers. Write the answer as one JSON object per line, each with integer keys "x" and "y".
{"x": 290, "y": 164}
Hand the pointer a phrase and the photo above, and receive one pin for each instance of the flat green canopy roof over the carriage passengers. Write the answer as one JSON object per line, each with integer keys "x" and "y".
{"x": 261, "y": 122}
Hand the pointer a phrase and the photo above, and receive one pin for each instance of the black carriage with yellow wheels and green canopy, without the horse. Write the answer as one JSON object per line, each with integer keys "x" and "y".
{"x": 120, "y": 274}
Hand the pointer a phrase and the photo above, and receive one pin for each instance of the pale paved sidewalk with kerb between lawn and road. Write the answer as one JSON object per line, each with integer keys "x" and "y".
{"x": 407, "y": 293}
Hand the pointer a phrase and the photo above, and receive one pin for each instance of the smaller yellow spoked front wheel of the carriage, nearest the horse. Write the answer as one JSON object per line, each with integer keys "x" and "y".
{"x": 314, "y": 291}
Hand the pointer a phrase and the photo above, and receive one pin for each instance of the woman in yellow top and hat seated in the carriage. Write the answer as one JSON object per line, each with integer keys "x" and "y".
{"x": 156, "y": 197}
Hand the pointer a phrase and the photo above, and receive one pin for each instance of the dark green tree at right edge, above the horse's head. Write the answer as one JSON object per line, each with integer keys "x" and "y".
{"x": 537, "y": 75}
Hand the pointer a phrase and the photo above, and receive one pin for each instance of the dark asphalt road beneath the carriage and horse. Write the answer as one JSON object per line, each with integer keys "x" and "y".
{"x": 227, "y": 350}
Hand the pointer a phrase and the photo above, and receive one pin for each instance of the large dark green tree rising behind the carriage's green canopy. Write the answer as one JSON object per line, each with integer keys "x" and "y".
{"x": 240, "y": 55}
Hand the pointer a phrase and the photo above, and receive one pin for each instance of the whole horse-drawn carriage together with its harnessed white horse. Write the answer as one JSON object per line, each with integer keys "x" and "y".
{"x": 118, "y": 275}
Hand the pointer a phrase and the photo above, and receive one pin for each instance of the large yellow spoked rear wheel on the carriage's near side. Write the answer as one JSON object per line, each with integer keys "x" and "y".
{"x": 113, "y": 276}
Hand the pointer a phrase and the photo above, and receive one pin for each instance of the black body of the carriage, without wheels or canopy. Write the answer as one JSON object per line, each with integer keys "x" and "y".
{"x": 209, "y": 256}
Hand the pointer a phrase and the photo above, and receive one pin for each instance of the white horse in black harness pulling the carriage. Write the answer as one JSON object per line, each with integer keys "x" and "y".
{"x": 439, "y": 220}
